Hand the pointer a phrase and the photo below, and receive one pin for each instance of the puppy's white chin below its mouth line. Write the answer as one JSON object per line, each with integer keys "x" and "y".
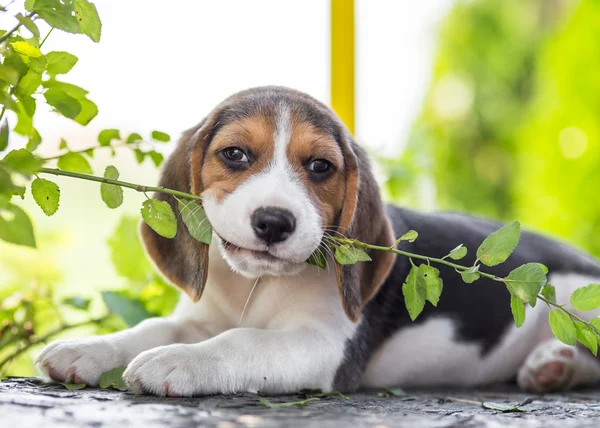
{"x": 254, "y": 263}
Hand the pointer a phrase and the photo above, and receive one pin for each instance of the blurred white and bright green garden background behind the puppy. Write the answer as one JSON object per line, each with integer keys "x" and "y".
{"x": 484, "y": 106}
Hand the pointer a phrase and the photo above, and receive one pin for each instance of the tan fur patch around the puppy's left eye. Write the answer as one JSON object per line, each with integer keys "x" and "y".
{"x": 255, "y": 135}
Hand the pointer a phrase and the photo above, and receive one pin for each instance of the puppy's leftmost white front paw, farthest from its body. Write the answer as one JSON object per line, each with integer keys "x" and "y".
{"x": 78, "y": 360}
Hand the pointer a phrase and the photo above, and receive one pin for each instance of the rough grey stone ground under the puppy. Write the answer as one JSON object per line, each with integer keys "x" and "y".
{"x": 28, "y": 403}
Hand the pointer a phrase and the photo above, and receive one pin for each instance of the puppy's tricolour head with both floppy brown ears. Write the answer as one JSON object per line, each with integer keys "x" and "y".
{"x": 277, "y": 171}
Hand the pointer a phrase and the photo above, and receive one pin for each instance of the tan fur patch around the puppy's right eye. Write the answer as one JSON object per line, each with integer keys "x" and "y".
{"x": 307, "y": 143}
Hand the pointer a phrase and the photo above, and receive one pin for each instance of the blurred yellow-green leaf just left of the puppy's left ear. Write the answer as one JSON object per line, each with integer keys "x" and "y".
{"x": 126, "y": 252}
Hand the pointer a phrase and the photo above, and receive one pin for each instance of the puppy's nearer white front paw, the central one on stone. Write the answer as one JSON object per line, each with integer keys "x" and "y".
{"x": 174, "y": 371}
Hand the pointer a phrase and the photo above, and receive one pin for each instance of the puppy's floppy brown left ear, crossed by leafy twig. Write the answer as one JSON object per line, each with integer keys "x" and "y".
{"x": 182, "y": 260}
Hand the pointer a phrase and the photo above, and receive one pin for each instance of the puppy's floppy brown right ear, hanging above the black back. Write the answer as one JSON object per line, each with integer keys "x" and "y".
{"x": 362, "y": 218}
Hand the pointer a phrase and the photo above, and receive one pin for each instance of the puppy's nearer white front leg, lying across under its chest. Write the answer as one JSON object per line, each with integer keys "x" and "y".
{"x": 243, "y": 359}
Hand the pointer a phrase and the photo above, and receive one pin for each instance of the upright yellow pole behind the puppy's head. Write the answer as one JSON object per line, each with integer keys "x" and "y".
{"x": 342, "y": 60}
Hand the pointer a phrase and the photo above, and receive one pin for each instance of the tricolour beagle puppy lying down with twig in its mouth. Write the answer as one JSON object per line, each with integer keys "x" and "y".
{"x": 278, "y": 172}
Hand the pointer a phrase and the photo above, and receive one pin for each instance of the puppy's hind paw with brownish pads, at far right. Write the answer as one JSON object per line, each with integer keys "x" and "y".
{"x": 550, "y": 367}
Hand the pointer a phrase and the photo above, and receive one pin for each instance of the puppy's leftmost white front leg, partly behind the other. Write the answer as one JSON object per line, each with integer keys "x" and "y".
{"x": 84, "y": 360}
